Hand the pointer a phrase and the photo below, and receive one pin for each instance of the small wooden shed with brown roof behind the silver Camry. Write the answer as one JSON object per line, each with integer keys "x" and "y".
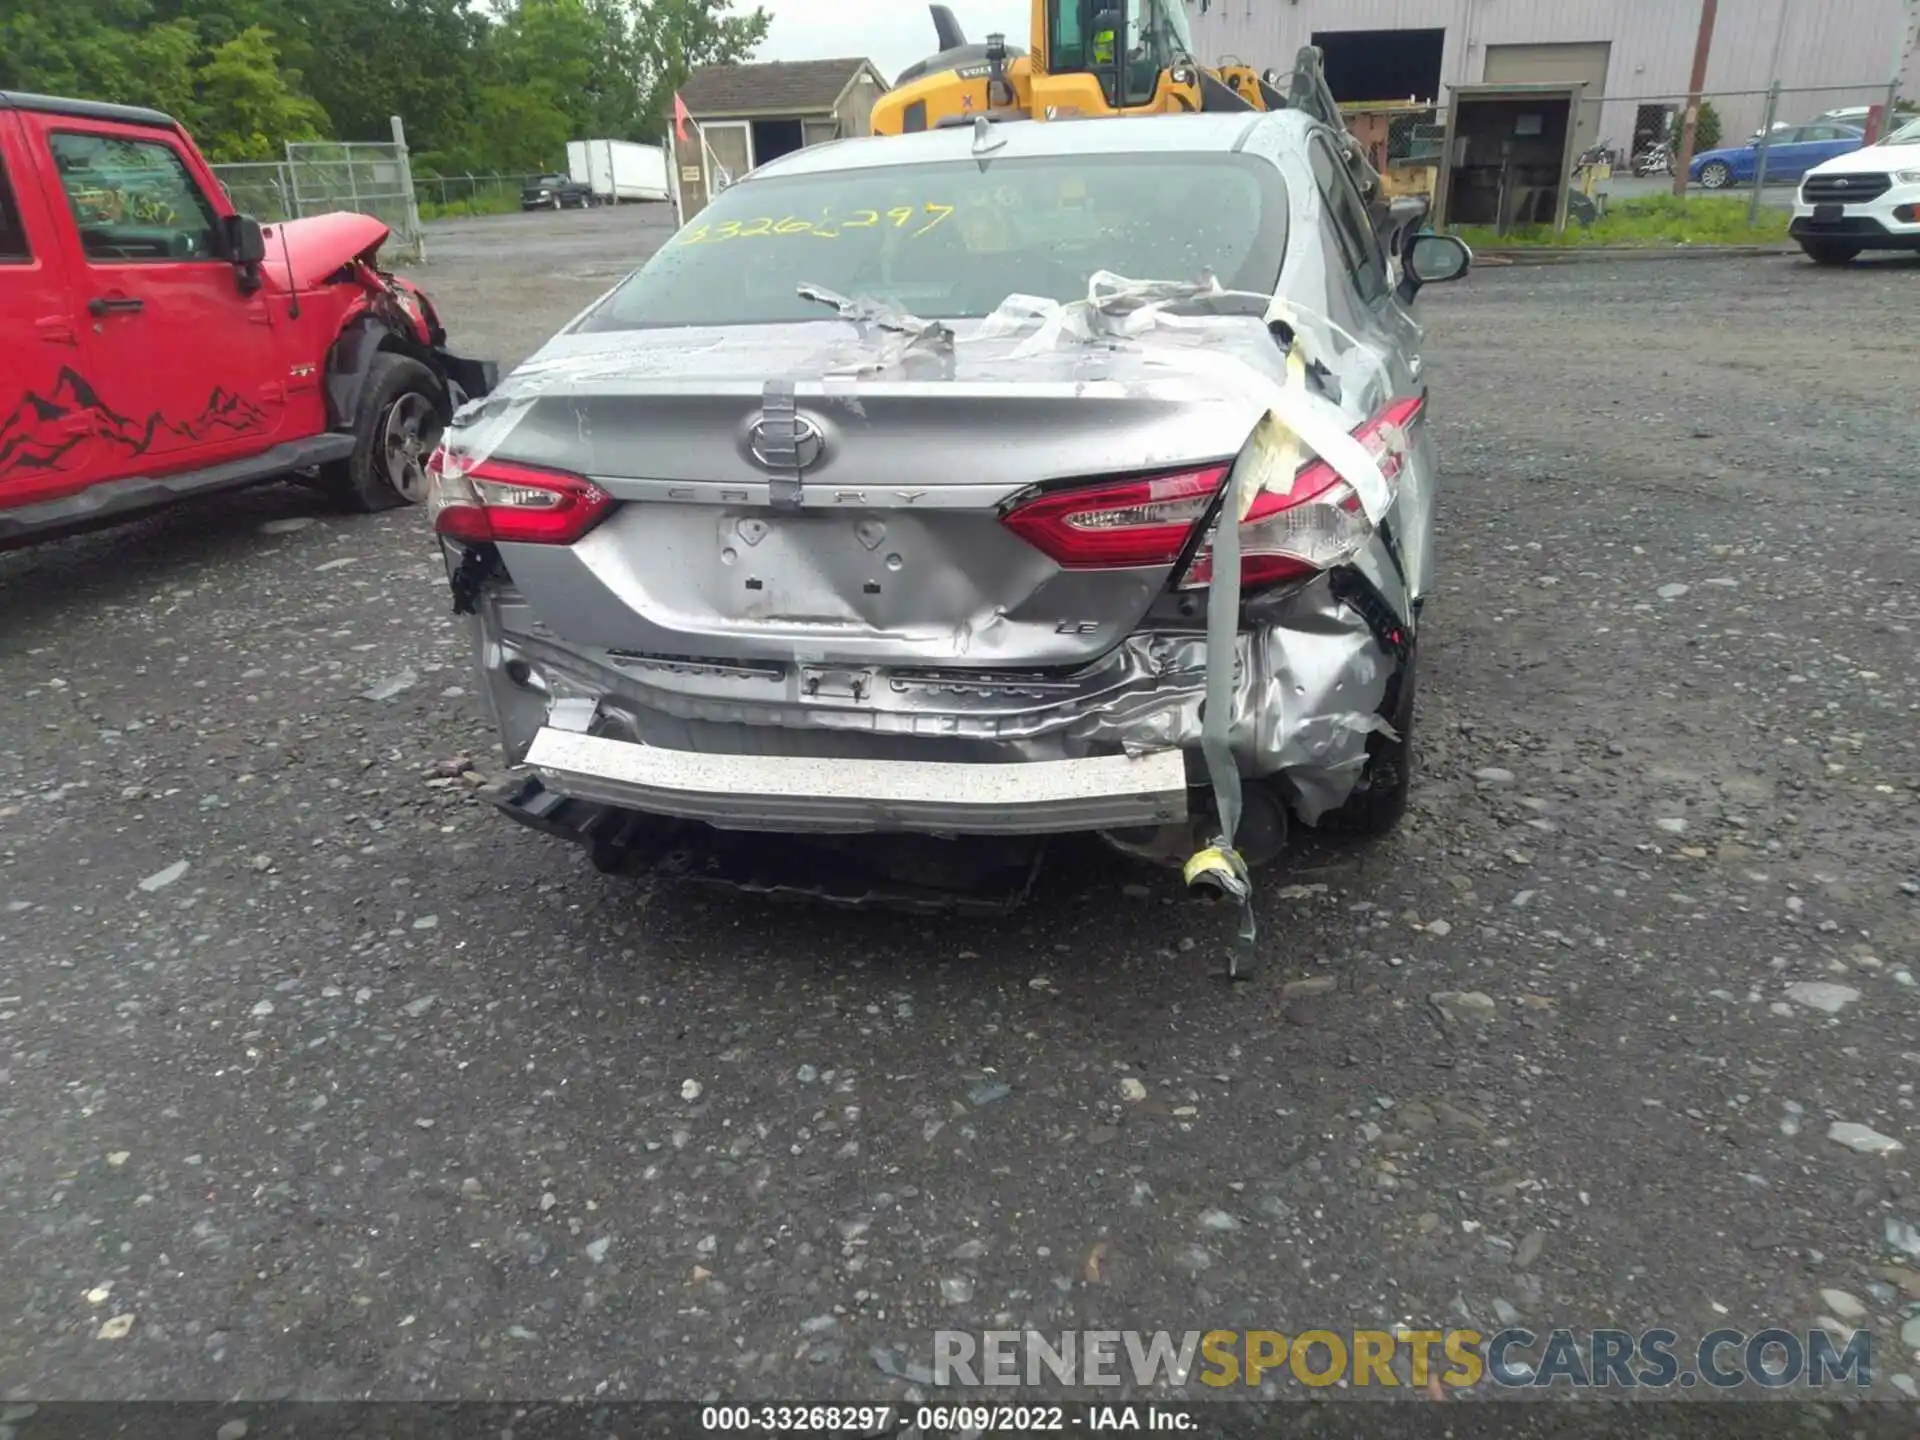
{"x": 752, "y": 114}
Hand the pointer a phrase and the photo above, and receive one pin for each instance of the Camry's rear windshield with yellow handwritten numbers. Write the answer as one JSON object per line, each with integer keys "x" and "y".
{"x": 953, "y": 241}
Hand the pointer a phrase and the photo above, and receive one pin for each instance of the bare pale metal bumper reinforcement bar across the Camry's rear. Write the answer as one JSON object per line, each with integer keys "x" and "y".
{"x": 769, "y": 792}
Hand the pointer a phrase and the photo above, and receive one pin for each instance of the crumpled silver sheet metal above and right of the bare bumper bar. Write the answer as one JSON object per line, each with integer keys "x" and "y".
{"x": 1308, "y": 688}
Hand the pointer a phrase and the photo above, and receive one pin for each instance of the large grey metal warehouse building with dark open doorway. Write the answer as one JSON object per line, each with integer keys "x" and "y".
{"x": 1635, "y": 53}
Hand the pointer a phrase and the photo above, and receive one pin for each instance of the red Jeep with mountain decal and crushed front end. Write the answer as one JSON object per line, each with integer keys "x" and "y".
{"x": 155, "y": 345}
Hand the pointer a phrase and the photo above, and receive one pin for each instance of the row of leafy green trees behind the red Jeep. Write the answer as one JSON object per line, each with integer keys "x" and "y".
{"x": 498, "y": 87}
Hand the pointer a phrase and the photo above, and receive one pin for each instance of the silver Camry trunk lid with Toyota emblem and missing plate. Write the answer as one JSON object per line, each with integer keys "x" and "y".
{"x": 890, "y": 548}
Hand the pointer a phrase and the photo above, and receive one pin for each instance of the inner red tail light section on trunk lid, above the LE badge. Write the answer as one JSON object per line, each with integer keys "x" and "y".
{"x": 1118, "y": 527}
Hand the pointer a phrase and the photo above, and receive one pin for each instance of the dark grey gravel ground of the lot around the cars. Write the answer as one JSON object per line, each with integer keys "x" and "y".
{"x": 318, "y": 1078}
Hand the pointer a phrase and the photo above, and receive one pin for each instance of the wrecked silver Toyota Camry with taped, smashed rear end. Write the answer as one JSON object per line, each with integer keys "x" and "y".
{"x": 886, "y": 500}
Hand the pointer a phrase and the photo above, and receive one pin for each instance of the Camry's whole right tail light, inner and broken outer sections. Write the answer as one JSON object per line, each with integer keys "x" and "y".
{"x": 1143, "y": 523}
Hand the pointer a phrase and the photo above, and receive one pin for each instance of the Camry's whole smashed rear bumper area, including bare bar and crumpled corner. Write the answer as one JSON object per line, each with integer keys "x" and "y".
{"x": 1115, "y": 746}
